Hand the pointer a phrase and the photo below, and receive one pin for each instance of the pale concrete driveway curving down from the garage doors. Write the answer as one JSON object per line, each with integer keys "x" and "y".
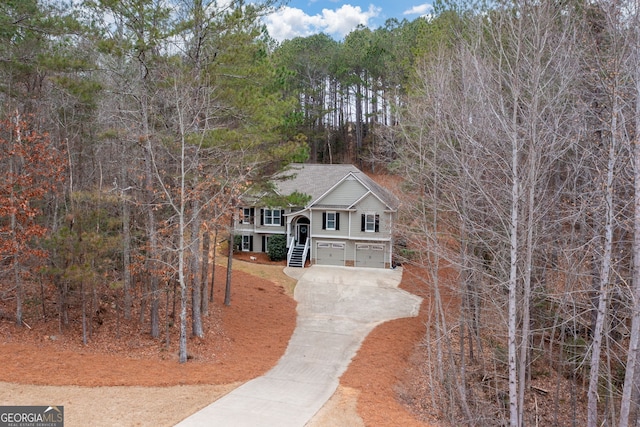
{"x": 337, "y": 308}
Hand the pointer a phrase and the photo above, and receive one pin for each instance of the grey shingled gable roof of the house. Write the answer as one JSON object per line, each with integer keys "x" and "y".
{"x": 318, "y": 179}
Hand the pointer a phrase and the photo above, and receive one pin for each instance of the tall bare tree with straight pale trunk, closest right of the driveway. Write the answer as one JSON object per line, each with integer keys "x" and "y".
{"x": 525, "y": 83}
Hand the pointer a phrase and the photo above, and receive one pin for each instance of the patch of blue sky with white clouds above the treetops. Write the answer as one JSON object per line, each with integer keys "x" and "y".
{"x": 337, "y": 18}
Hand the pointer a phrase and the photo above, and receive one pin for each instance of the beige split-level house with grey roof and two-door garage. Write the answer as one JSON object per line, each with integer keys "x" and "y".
{"x": 348, "y": 220}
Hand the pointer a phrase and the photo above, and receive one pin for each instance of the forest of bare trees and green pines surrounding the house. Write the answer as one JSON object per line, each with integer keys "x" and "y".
{"x": 130, "y": 127}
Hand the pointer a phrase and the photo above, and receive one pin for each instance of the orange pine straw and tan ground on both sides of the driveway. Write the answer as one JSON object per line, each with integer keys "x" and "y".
{"x": 134, "y": 380}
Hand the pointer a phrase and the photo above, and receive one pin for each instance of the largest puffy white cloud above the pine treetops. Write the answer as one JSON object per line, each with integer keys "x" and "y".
{"x": 289, "y": 22}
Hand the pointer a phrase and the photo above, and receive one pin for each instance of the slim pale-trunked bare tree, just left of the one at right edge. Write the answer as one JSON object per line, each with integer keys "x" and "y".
{"x": 611, "y": 51}
